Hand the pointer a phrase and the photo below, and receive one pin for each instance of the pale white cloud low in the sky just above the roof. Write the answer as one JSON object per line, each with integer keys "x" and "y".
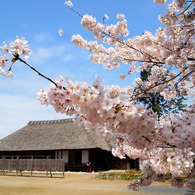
{"x": 17, "y": 110}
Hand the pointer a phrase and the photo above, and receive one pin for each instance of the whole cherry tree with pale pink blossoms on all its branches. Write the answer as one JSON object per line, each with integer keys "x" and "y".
{"x": 166, "y": 145}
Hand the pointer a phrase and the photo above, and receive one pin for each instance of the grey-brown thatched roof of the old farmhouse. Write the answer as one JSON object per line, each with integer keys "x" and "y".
{"x": 52, "y": 135}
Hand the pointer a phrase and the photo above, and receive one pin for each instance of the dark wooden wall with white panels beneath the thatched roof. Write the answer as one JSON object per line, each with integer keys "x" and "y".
{"x": 76, "y": 160}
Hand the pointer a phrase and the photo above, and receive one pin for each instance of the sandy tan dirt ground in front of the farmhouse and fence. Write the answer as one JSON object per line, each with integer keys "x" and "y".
{"x": 73, "y": 183}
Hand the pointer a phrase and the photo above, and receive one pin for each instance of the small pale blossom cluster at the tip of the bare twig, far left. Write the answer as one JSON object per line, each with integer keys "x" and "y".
{"x": 19, "y": 46}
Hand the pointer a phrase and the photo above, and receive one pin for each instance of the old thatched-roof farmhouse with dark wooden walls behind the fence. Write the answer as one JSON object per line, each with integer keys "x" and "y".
{"x": 61, "y": 139}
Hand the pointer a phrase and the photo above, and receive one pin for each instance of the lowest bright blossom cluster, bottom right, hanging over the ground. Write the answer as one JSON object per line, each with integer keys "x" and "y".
{"x": 160, "y": 162}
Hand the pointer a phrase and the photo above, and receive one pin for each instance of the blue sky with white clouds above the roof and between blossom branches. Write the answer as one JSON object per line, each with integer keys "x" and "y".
{"x": 39, "y": 22}
